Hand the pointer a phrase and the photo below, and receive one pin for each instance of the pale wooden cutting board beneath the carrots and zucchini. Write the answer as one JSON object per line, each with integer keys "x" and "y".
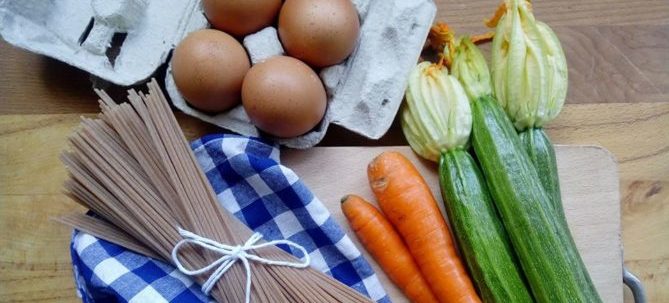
{"x": 588, "y": 178}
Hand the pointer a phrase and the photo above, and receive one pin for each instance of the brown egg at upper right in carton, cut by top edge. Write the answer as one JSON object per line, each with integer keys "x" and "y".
{"x": 319, "y": 32}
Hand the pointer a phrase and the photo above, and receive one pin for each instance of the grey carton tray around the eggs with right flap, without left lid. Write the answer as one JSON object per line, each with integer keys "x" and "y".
{"x": 365, "y": 91}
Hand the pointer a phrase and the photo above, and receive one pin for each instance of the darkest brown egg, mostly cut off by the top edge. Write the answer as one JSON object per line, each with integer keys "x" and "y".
{"x": 241, "y": 17}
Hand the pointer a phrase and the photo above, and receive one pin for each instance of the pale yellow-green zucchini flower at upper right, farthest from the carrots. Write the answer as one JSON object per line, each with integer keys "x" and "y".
{"x": 529, "y": 69}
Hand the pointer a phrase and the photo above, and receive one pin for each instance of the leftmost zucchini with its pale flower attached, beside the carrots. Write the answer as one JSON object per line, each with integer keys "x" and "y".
{"x": 436, "y": 121}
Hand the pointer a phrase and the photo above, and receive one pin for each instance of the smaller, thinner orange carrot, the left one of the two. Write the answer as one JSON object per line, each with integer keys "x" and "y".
{"x": 385, "y": 245}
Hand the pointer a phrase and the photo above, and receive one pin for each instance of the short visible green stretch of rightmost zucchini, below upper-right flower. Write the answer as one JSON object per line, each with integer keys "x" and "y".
{"x": 542, "y": 154}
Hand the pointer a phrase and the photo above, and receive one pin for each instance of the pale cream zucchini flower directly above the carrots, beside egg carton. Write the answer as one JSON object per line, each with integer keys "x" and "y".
{"x": 437, "y": 116}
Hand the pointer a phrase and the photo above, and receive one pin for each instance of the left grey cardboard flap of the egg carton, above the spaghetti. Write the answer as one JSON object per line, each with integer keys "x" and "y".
{"x": 121, "y": 41}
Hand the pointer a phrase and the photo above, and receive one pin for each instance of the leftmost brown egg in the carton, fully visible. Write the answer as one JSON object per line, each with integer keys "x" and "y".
{"x": 208, "y": 68}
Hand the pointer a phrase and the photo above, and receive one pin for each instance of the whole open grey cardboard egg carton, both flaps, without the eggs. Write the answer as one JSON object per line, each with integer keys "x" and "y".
{"x": 364, "y": 92}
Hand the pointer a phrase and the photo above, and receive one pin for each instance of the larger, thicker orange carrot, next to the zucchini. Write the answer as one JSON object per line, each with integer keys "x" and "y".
{"x": 409, "y": 205}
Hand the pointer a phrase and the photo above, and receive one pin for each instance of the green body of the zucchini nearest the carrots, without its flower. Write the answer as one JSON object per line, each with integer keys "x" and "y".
{"x": 478, "y": 230}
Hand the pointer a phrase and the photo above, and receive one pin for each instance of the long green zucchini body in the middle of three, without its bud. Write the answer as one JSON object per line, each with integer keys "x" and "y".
{"x": 541, "y": 239}
